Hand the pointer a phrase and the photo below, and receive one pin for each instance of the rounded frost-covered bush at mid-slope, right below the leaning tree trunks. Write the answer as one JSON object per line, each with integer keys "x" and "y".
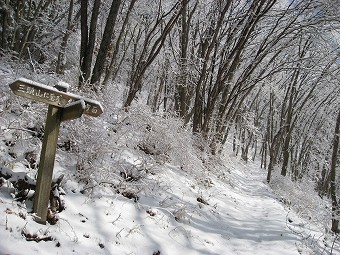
{"x": 159, "y": 135}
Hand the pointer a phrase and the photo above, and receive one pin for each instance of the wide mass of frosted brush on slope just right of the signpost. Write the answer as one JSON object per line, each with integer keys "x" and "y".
{"x": 128, "y": 147}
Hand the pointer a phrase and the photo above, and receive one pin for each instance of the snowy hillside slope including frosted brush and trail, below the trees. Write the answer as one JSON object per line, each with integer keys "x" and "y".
{"x": 220, "y": 207}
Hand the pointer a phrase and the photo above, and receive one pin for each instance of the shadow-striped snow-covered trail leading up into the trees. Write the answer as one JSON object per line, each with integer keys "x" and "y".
{"x": 250, "y": 216}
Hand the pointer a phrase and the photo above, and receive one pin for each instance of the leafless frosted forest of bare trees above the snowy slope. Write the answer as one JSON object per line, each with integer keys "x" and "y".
{"x": 262, "y": 75}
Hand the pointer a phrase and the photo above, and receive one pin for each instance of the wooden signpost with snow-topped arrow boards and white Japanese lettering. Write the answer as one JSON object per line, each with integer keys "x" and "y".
{"x": 62, "y": 106}
